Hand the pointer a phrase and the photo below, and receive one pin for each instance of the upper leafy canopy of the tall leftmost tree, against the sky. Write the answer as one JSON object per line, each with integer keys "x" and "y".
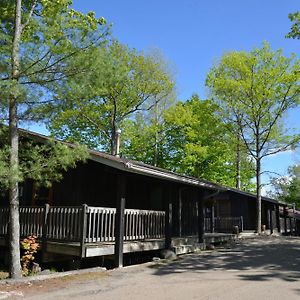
{"x": 52, "y": 36}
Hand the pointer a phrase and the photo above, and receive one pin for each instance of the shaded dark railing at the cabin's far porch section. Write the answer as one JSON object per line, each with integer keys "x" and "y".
{"x": 224, "y": 224}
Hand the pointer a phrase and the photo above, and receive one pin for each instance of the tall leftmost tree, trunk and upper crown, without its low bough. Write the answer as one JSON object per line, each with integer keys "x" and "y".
{"x": 38, "y": 39}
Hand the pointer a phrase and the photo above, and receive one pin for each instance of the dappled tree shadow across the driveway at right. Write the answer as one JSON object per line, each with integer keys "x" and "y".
{"x": 270, "y": 257}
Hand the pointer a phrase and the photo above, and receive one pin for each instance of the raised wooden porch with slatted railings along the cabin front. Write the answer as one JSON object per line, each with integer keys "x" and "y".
{"x": 87, "y": 231}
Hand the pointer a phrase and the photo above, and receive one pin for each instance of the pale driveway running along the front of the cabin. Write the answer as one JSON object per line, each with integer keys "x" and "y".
{"x": 254, "y": 269}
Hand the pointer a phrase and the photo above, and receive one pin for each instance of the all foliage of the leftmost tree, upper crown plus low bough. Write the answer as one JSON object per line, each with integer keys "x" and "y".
{"x": 55, "y": 41}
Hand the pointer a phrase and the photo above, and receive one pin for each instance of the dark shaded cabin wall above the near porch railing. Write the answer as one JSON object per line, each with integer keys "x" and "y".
{"x": 95, "y": 185}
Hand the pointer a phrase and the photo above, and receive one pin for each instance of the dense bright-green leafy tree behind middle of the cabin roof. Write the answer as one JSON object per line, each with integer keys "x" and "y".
{"x": 198, "y": 143}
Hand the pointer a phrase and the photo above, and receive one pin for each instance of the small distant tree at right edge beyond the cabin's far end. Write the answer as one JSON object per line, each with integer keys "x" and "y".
{"x": 287, "y": 188}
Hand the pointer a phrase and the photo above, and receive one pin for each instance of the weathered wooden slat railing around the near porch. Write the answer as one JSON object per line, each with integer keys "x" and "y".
{"x": 63, "y": 223}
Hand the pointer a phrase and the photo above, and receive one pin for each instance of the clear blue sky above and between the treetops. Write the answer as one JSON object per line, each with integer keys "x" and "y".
{"x": 193, "y": 34}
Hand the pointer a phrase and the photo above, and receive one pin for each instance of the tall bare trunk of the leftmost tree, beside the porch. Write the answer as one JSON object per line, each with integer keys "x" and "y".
{"x": 14, "y": 225}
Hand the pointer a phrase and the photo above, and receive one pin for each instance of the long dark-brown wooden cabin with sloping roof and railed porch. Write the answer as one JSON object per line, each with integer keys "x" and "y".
{"x": 111, "y": 205}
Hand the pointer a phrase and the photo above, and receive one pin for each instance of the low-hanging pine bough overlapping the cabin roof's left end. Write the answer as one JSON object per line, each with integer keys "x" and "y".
{"x": 44, "y": 162}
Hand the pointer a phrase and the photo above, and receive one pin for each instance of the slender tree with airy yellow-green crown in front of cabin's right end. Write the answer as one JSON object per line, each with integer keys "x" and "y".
{"x": 258, "y": 88}
